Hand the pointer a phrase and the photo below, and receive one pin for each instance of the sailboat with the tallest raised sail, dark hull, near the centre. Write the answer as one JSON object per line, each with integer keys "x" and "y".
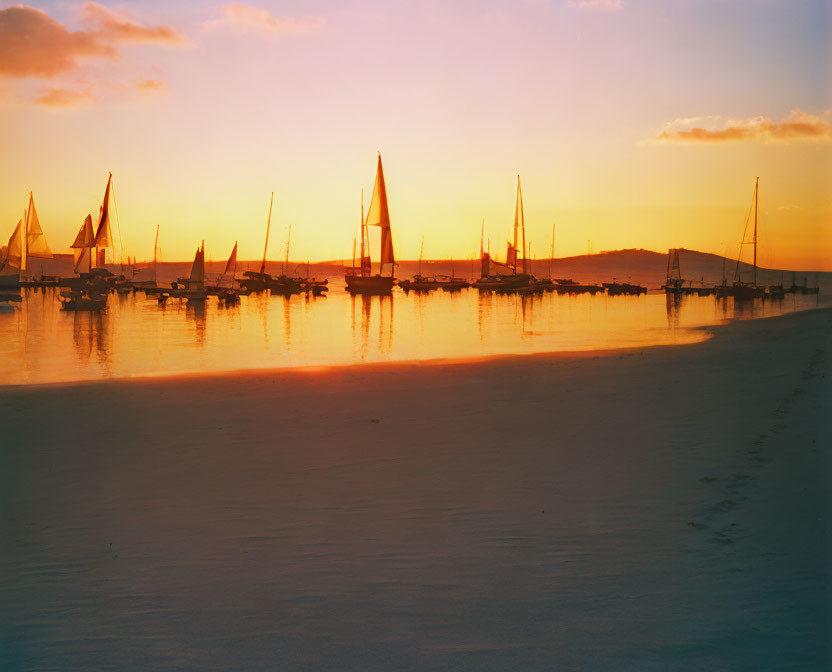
{"x": 364, "y": 282}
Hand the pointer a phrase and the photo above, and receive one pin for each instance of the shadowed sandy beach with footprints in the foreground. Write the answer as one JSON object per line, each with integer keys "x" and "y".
{"x": 650, "y": 509}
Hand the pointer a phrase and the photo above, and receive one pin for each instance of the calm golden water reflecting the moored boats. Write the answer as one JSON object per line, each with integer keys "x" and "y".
{"x": 136, "y": 336}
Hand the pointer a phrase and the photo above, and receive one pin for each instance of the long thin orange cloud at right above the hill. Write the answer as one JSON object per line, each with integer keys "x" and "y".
{"x": 797, "y": 126}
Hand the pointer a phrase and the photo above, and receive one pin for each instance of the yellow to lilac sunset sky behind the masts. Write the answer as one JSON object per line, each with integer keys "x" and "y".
{"x": 632, "y": 123}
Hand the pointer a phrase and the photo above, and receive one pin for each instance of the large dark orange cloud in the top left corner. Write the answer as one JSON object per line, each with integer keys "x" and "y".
{"x": 33, "y": 44}
